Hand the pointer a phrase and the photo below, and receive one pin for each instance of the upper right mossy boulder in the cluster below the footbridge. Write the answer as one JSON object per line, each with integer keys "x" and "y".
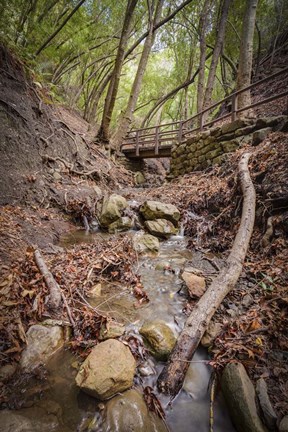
{"x": 152, "y": 210}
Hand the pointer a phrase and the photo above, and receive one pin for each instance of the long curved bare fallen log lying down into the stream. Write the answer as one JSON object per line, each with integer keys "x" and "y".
{"x": 171, "y": 379}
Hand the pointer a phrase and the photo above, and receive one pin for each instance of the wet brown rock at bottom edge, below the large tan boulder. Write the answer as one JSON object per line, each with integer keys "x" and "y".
{"x": 128, "y": 413}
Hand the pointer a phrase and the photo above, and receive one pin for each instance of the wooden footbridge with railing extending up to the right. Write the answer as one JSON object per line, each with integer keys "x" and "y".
{"x": 156, "y": 141}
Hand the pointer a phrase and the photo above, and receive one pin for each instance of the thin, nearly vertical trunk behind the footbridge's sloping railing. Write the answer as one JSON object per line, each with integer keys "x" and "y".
{"x": 202, "y": 39}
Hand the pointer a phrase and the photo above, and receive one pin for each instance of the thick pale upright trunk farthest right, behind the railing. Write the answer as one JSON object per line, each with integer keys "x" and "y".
{"x": 246, "y": 55}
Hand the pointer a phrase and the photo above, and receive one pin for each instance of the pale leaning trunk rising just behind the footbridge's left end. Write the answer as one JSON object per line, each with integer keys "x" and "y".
{"x": 134, "y": 94}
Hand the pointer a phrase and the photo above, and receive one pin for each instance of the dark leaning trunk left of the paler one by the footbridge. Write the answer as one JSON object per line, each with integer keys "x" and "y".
{"x": 103, "y": 133}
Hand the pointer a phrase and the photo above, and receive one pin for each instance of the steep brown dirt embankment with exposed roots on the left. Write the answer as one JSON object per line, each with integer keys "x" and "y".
{"x": 50, "y": 171}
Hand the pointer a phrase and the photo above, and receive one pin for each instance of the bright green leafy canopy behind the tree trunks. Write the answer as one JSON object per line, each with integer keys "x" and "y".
{"x": 79, "y": 58}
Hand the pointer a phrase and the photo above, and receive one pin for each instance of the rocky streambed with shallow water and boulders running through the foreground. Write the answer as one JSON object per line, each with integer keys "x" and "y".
{"x": 113, "y": 390}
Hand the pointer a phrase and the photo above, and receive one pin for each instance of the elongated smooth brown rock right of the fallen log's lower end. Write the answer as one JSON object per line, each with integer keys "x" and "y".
{"x": 240, "y": 397}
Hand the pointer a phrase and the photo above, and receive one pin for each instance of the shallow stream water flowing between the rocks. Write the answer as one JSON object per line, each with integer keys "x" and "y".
{"x": 190, "y": 411}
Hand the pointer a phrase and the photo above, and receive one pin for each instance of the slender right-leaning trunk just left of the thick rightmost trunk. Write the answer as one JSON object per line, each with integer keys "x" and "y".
{"x": 216, "y": 54}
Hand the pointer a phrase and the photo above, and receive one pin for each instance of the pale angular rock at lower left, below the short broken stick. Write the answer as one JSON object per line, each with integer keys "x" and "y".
{"x": 42, "y": 343}
